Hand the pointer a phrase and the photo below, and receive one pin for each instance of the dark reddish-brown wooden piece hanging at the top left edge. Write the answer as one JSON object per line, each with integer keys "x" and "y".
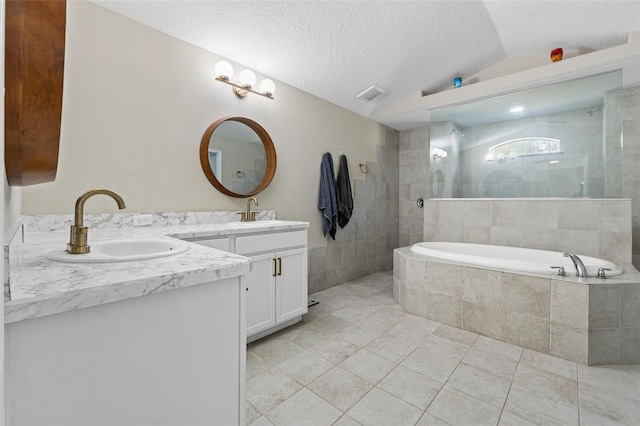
{"x": 34, "y": 73}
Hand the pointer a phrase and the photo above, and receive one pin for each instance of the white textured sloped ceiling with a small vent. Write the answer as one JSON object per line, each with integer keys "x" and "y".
{"x": 337, "y": 49}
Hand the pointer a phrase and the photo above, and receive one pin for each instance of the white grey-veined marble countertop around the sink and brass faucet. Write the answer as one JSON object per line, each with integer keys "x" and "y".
{"x": 42, "y": 287}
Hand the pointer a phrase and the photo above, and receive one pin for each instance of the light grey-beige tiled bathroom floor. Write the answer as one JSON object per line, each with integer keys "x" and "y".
{"x": 358, "y": 359}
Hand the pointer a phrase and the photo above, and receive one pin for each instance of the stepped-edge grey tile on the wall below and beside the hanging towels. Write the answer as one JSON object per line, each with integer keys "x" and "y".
{"x": 366, "y": 244}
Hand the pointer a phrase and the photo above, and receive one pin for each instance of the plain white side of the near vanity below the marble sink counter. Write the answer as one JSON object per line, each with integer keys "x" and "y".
{"x": 171, "y": 358}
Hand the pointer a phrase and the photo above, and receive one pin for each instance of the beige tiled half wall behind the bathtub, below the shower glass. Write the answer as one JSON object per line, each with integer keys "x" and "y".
{"x": 592, "y": 227}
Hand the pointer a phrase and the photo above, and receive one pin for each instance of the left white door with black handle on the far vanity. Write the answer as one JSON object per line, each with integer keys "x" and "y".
{"x": 259, "y": 285}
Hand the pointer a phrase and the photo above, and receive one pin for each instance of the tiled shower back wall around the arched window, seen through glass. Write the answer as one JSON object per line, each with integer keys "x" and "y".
{"x": 580, "y": 173}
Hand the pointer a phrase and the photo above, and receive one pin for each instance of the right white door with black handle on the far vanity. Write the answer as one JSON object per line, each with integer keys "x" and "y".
{"x": 291, "y": 284}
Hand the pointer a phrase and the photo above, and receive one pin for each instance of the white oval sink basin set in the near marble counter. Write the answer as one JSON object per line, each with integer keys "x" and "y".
{"x": 124, "y": 250}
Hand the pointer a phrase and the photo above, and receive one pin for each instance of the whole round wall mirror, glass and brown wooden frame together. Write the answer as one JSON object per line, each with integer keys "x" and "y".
{"x": 237, "y": 156}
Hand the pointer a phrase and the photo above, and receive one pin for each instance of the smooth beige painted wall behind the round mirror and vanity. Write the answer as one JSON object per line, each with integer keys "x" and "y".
{"x": 136, "y": 103}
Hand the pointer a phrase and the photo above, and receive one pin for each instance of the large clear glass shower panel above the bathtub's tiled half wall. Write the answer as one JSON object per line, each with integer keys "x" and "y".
{"x": 559, "y": 140}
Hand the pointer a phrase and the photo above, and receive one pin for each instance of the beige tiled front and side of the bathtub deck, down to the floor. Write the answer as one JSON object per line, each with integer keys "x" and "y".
{"x": 592, "y": 322}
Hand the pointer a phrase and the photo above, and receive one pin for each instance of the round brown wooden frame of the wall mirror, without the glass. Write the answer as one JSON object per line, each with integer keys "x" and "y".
{"x": 266, "y": 142}
